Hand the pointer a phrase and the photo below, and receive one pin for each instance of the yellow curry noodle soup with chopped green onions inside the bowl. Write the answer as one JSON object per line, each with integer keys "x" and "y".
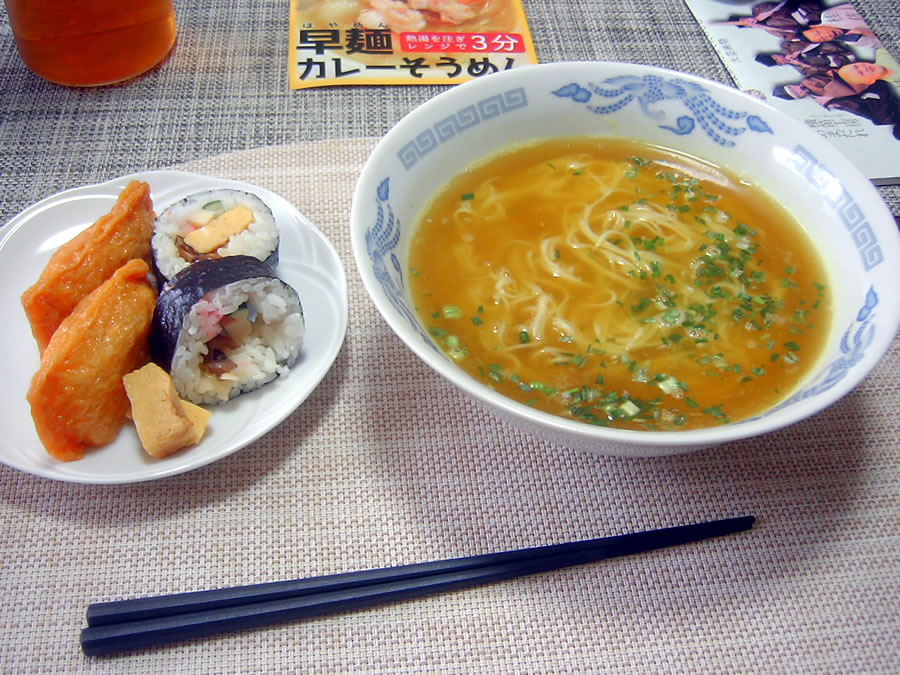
{"x": 619, "y": 284}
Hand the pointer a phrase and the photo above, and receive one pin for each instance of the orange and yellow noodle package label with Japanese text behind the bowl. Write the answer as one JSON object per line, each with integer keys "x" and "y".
{"x": 405, "y": 41}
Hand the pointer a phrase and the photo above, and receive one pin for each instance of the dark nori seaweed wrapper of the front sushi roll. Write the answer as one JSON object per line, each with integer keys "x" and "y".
{"x": 186, "y": 288}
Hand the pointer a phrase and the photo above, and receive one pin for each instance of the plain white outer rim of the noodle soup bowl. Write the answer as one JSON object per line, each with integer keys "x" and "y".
{"x": 600, "y": 435}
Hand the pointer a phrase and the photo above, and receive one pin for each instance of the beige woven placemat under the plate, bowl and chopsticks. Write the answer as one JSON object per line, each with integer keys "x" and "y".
{"x": 387, "y": 464}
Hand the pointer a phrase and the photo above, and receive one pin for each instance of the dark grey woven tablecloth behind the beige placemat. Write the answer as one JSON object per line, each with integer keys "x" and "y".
{"x": 225, "y": 88}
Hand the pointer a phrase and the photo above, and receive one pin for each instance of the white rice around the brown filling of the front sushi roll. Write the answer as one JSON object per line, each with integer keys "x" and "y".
{"x": 266, "y": 353}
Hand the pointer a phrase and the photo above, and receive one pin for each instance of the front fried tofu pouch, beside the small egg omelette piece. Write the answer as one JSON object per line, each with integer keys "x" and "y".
{"x": 77, "y": 397}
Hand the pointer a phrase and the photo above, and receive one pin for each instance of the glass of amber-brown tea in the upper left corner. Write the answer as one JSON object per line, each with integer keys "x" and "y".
{"x": 91, "y": 42}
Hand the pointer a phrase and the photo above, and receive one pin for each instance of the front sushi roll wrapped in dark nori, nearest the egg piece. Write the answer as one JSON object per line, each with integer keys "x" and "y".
{"x": 226, "y": 326}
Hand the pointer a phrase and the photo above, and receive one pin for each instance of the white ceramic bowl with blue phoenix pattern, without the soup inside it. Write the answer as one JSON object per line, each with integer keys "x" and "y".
{"x": 839, "y": 207}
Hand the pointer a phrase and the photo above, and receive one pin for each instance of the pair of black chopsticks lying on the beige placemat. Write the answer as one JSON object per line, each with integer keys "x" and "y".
{"x": 143, "y": 622}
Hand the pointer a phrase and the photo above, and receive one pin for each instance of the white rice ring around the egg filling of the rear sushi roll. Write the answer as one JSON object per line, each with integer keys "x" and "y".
{"x": 259, "y": 240}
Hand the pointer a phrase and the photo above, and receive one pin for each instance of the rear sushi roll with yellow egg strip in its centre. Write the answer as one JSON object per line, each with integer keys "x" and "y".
{"x": 213, "y": 224}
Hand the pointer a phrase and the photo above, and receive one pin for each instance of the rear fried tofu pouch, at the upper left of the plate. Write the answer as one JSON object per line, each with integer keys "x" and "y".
{"x": 82, "y": 264}
